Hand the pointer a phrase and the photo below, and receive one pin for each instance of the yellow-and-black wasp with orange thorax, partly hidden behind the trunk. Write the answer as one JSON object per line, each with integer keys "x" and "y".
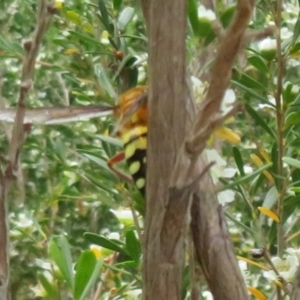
{"x": 131, "y": 128}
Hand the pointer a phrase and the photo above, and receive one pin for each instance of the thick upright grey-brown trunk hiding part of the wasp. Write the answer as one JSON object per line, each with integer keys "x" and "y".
{"x": 166, "y": 211}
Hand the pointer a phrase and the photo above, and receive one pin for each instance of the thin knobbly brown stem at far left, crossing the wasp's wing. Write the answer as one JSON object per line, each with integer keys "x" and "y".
{"x": 31, "y": 47}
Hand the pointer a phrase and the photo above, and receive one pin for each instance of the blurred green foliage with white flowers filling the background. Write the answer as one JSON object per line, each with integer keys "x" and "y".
{"x": 66, "y": 200}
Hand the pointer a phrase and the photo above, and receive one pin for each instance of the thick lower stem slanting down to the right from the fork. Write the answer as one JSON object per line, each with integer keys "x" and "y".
{"x": 214, "y": 249}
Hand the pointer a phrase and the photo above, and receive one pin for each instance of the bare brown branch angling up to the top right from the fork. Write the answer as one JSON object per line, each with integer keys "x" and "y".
{"x": 221, "y": 75}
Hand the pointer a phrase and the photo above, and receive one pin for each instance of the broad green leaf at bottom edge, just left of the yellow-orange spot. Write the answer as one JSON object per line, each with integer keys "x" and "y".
{"x": 87, "y": 272}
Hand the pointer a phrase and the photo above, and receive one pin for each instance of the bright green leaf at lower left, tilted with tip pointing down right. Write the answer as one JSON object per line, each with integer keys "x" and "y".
{"x": 59, "y": 251}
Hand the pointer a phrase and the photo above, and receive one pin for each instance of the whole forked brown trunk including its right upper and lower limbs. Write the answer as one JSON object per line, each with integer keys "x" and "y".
{"x": 175, "y": 169}
